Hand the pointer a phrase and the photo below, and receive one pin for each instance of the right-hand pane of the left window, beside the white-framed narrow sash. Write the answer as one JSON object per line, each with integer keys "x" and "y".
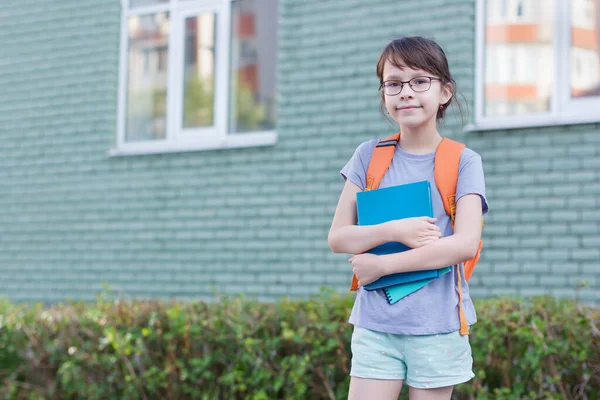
{"x": 253, "y": 56}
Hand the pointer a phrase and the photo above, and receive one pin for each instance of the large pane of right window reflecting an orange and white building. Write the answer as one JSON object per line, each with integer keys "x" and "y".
{"x": 518, "y": 57}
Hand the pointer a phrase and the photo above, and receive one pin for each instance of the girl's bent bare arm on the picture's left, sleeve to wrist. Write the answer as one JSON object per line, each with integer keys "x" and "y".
{"x": 347, "y": 237}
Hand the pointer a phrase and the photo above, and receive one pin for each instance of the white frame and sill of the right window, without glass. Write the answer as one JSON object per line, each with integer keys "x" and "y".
{"x": 563, "y": 109}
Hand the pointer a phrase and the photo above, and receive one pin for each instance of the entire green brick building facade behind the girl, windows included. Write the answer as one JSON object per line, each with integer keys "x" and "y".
{"x": 173, "y": 148}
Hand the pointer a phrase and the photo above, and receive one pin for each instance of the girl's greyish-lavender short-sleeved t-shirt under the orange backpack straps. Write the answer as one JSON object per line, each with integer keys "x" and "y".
{"x": 432, "y": 309}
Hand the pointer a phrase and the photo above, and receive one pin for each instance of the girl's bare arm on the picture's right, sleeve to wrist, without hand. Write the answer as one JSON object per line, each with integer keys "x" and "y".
{"x": 450, "y": 250}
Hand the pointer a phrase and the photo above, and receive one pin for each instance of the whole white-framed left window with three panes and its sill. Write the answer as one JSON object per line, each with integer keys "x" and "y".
{"x": 196, "y": 74}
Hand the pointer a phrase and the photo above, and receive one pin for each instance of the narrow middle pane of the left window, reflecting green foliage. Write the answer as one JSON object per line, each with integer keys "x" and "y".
{"x": 199, "y": 71}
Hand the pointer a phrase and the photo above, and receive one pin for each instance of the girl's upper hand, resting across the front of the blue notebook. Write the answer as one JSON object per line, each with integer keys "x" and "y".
{"x": 414, "y": 232}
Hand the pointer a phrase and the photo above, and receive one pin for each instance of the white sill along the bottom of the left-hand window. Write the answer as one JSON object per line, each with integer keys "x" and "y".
{"x": 255, "y": 139}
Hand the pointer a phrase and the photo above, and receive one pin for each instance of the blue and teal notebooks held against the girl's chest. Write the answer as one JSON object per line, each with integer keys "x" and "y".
{"x": 397, "y": 202}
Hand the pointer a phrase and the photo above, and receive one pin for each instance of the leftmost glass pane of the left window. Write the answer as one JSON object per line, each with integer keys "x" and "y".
{"x": 147, "y": 77}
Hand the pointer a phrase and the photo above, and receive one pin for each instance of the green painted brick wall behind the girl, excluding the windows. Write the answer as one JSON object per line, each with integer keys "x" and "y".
{"x": 254, "y": 220}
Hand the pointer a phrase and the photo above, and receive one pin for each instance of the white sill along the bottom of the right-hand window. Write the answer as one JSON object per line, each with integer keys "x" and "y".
{"x": 516, "y": 123}
